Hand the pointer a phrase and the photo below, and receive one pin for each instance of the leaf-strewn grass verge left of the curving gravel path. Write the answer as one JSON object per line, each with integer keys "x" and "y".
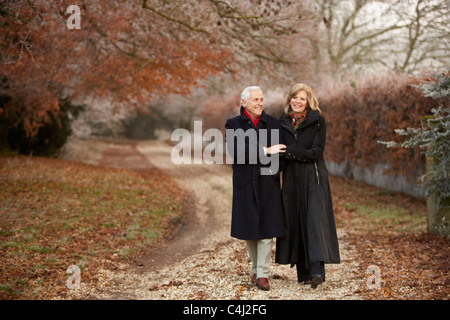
{"x": 56, "y": 213}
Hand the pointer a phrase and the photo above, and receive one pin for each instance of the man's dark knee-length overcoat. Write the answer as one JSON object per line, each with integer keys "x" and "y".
{"x": 256, "y": 210}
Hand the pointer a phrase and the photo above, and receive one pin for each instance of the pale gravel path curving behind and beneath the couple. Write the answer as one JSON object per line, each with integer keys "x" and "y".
{"x": 203, "y": 261}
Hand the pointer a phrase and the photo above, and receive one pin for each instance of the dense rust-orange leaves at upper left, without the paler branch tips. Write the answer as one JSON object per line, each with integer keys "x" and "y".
{"x": 113, "y": 55}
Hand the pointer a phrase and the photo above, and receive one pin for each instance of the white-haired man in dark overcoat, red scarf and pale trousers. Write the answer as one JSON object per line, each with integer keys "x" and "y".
{"x": 253, "y": 142}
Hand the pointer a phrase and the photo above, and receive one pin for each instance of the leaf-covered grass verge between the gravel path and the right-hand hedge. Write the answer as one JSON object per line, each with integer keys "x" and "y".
{"x": 389, "y": 231}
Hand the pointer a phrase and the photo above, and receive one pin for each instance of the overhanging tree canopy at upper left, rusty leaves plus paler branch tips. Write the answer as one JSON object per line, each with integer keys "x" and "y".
{"x": 129, "y": 52}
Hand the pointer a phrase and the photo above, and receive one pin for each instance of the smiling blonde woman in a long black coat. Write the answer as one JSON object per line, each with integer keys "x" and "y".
{"x": 310, "y": 238}
